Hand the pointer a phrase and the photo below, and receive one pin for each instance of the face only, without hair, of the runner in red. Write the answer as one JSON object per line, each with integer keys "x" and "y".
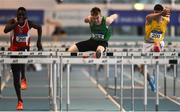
{"x": 21, "y": 16}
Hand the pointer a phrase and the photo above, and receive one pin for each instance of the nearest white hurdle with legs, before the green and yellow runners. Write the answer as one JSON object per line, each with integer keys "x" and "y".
{"x": 121, "y": 61}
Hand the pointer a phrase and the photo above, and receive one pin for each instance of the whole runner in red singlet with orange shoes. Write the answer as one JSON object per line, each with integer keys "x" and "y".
{"x": 20, "y": 41}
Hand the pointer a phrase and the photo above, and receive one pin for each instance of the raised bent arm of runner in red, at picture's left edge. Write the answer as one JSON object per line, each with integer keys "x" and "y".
{"x": 11, "y": 24}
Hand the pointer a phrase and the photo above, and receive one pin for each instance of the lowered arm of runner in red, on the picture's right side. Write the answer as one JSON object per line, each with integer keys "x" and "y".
{"x": 39, "y": 31}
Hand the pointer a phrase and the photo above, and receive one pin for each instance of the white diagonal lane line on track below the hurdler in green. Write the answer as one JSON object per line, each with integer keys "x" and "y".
{"x": 101, "y": 89}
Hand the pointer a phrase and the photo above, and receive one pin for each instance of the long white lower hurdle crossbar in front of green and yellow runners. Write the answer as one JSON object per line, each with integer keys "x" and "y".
{"x": 118, "y": 61}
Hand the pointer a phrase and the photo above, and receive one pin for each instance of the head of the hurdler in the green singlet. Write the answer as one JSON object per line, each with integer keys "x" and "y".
{"x": 96, "y": 15}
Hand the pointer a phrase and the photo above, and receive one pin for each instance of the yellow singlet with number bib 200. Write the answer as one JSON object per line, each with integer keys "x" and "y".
{"x": 155, "y": 31}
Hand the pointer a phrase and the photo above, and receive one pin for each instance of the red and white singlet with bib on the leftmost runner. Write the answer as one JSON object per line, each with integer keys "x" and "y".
{"x": 19, "y": 37}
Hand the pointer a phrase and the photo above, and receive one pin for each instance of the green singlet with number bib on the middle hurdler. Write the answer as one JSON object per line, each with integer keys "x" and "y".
{"x": 100, "y": 32}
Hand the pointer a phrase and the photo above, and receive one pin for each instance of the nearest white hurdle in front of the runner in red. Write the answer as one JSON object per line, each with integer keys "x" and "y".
{"x": 53, "y": 75}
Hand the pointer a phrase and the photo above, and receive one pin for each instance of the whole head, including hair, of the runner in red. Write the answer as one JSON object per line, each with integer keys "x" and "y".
{"x": 21, "y": 15}
